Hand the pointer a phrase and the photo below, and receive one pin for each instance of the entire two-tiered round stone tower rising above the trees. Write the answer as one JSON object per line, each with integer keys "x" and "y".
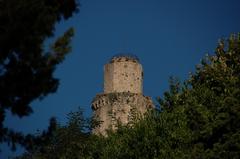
{"x": 122, "y": 98}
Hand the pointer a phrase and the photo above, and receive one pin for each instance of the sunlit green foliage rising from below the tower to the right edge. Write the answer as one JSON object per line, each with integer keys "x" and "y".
{"x": 198, "y": 119}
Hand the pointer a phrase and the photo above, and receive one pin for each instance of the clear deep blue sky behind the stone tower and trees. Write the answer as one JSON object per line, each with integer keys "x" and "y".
{"x": 169, "y": 36}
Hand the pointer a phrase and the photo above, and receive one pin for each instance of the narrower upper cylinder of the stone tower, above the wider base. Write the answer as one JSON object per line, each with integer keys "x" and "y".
{"x": 123, "y": 75}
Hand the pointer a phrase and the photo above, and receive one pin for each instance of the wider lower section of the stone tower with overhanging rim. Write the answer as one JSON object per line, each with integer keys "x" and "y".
{"x": 123, "y": 107}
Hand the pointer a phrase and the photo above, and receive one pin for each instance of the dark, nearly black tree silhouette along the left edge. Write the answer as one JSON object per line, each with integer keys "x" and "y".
{"x": 26, "y": 68}
